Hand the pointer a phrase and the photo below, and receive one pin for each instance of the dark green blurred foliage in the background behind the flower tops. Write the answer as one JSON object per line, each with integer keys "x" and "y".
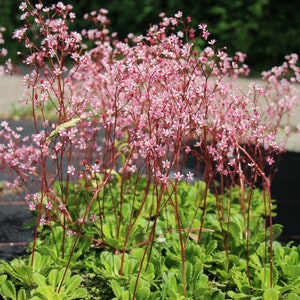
{"x": 264, "y": 29}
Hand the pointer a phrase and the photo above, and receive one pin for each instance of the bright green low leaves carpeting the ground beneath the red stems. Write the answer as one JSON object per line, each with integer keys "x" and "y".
{"x": 156, "y": 272}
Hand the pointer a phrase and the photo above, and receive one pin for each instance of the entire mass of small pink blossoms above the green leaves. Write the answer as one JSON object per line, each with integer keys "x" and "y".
{"x": 143, "y": 105}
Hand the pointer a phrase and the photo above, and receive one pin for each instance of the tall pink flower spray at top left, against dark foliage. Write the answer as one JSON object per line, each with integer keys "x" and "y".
{"x": 52, "y": 38}
